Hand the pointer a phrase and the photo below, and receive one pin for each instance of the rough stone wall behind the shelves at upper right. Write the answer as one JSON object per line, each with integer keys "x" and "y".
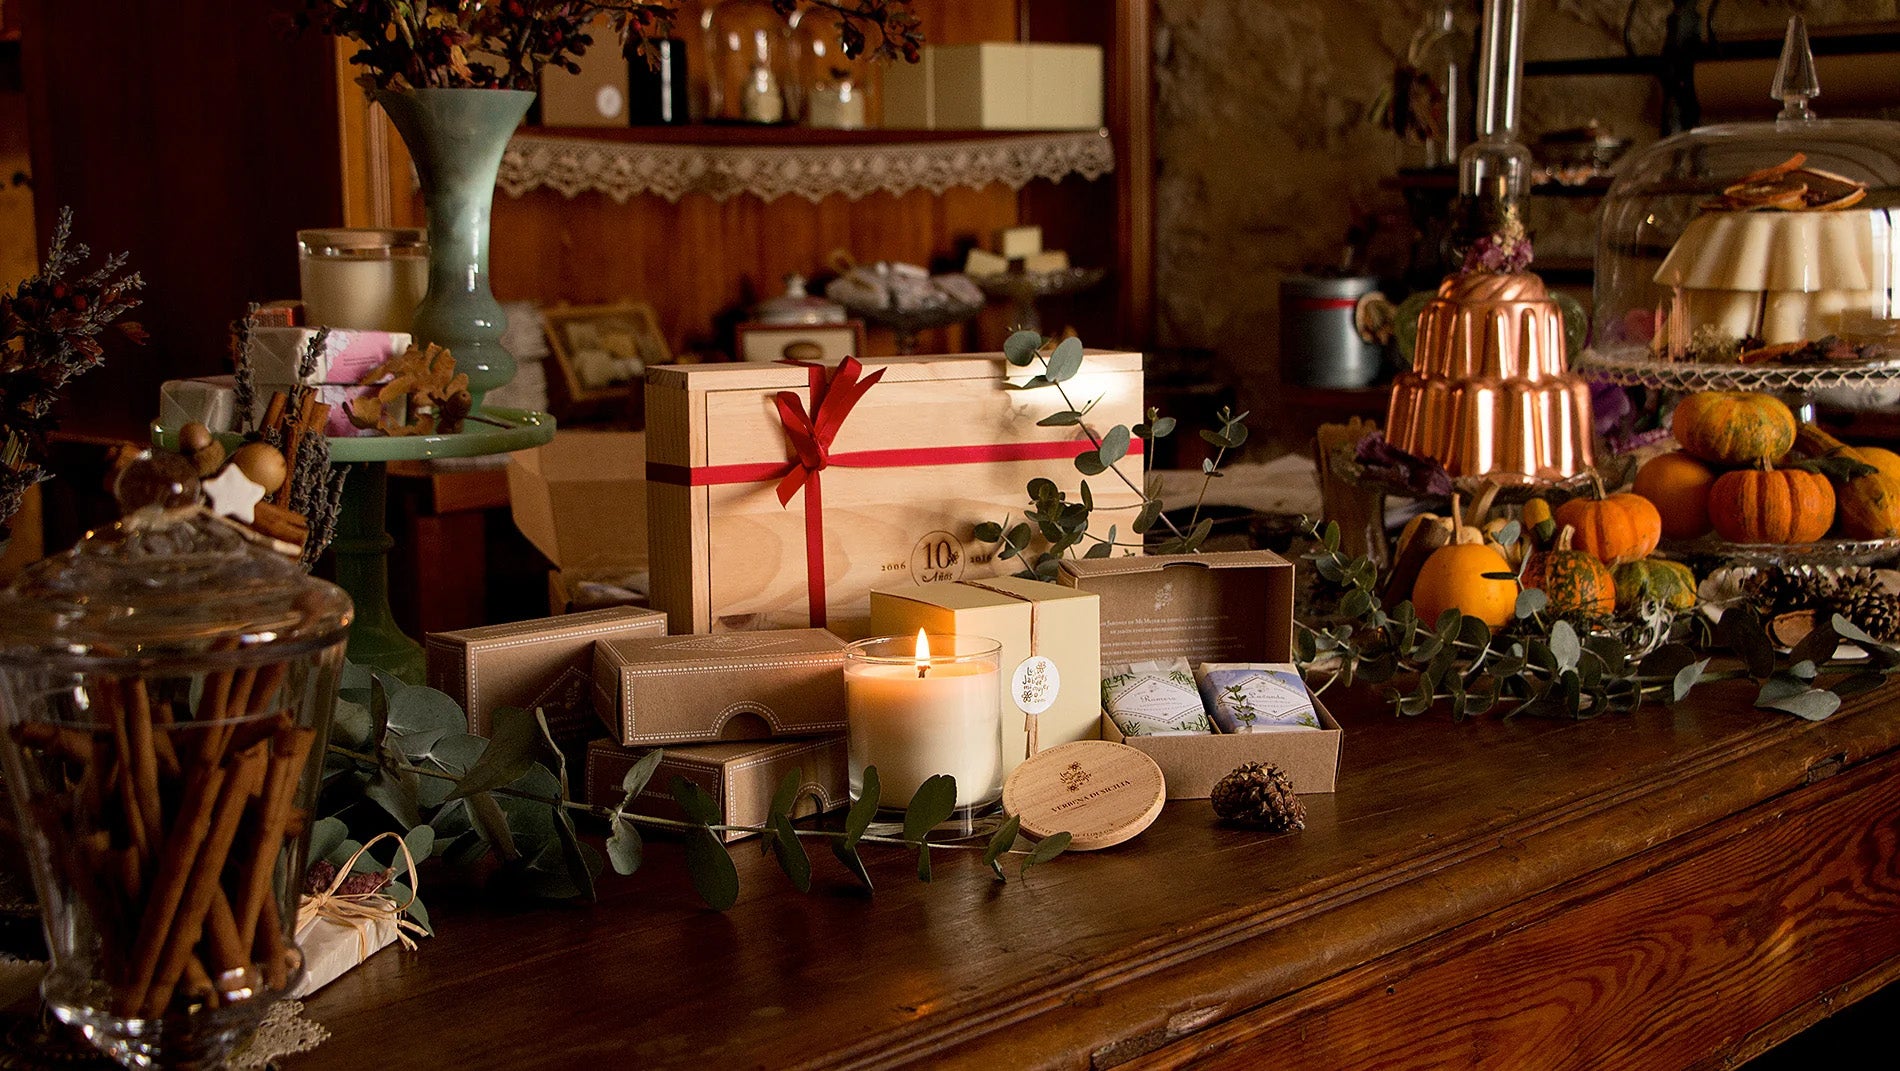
{"x": 1268, "y": 155}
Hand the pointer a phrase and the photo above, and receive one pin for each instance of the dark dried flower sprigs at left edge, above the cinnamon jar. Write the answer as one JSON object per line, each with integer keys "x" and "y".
{"x": 50, "y": 329}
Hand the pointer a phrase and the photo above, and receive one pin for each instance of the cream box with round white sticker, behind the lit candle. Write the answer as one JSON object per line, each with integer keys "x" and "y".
{"x": 1031, "y": 620}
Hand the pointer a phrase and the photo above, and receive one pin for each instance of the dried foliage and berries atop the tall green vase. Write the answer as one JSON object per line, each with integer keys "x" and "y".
{"x": 504, "y": 45}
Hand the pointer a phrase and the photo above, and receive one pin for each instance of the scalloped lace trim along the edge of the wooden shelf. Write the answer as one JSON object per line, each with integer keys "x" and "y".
{"x": 770, "y": 172}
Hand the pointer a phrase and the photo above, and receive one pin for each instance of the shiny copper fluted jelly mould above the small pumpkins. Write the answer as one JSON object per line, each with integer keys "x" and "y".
{"x": 1491, "y": 390}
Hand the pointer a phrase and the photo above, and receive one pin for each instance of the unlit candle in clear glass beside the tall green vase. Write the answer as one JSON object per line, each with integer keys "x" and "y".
{"x": 364, "y": 278}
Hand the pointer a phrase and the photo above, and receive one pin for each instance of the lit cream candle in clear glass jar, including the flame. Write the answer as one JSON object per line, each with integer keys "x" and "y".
{"x": 926, "y": 705}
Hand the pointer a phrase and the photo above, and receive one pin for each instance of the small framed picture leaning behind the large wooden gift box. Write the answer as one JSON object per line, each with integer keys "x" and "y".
{"x": 601, "y": 354}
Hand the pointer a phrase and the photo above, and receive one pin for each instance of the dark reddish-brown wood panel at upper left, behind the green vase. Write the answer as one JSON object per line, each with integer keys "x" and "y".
{"x": 195, "y": 136}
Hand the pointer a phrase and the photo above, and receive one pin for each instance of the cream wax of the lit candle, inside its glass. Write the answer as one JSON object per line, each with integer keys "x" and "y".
{"x": 913, "y": 728}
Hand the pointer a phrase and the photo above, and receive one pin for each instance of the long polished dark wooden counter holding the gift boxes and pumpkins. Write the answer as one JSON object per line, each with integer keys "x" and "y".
{"x": 1679, "y": 888}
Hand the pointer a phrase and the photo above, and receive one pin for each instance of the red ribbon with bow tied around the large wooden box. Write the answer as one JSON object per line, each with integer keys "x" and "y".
{"x": 812, "y": 438}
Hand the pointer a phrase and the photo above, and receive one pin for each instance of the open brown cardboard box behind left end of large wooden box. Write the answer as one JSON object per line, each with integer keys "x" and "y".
{"x": 582, "y": 502}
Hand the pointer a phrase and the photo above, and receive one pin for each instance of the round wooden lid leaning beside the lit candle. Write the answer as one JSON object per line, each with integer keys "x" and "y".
{"x": 1099, "y": 791}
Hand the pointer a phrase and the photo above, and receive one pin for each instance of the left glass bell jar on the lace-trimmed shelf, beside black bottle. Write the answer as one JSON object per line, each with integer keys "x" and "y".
{"x": 750, "y": 73}
